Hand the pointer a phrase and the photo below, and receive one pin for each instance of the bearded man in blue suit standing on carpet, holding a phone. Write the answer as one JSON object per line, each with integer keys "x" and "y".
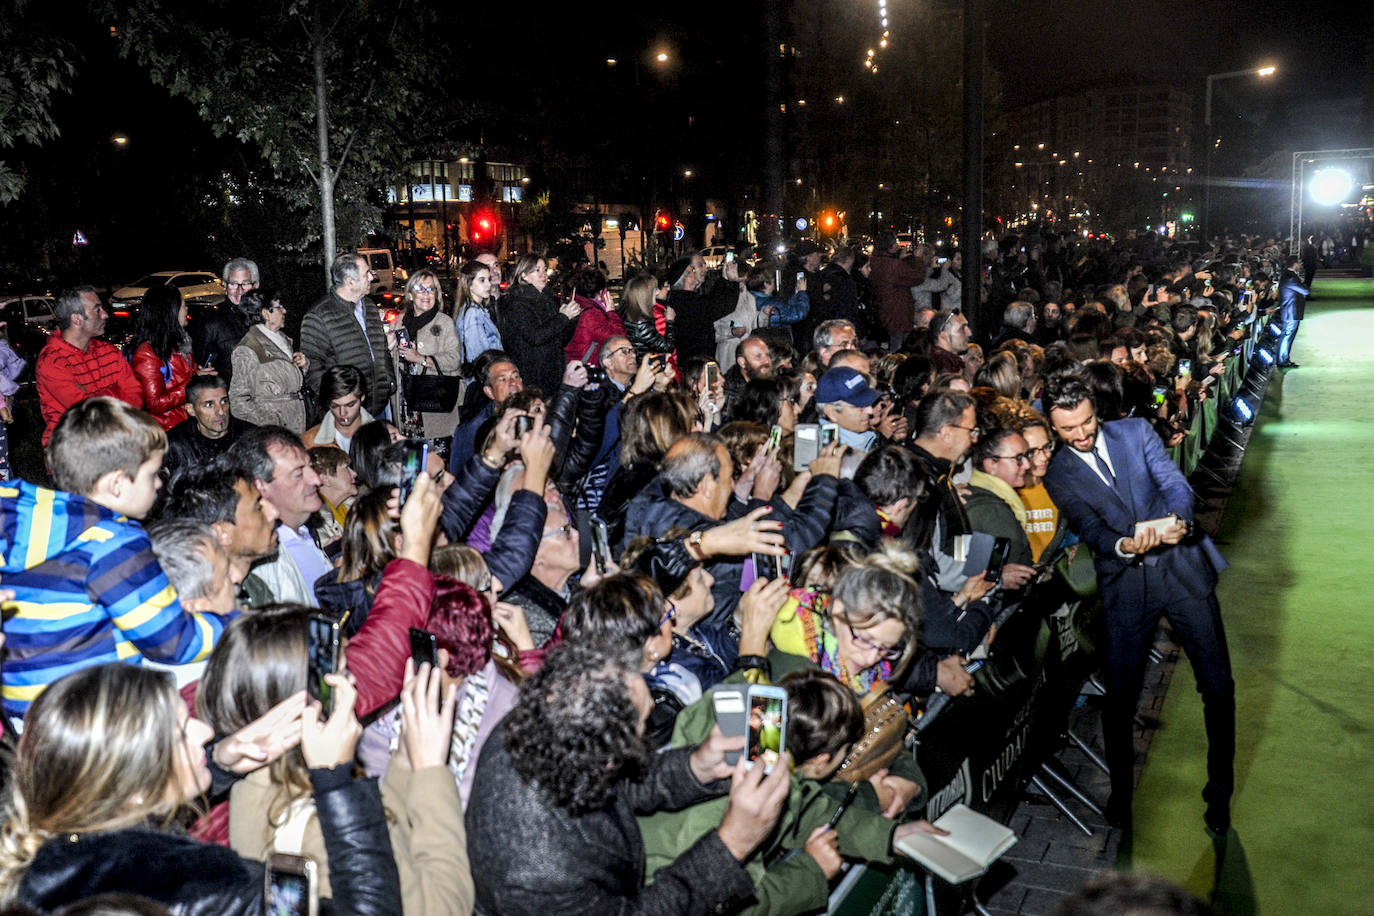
{"x": 1110, "y": 479}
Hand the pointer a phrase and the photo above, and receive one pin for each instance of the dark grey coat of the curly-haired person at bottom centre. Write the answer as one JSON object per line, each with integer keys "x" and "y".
{"x": 534, "y": 859}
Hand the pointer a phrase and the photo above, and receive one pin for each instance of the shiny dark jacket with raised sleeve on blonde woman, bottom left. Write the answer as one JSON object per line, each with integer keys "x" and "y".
{"x": 203, "y": 880}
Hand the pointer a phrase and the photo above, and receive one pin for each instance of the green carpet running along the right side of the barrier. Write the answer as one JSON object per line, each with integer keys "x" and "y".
{"x": 1300, "y": 624}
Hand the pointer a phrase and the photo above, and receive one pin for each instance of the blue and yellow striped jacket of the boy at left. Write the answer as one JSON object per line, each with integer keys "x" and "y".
{"x": 89, "y": 591}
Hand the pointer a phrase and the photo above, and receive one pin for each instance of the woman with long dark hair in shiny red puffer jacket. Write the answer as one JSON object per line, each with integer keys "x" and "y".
{"x": 163, "y": 358}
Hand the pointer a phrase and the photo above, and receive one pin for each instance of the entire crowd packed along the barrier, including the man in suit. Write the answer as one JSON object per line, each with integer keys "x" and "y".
{"x": 600, "y": 513}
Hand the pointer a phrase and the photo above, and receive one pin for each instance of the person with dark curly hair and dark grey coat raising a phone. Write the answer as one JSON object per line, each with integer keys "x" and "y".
{"x": 552, "y": 823}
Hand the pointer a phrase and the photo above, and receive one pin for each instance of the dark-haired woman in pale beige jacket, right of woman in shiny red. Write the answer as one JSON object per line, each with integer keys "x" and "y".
{"x": 269, "y": 371}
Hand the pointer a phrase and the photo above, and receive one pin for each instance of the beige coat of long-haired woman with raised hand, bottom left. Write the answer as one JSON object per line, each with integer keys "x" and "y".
{"x": 427, "y": 826}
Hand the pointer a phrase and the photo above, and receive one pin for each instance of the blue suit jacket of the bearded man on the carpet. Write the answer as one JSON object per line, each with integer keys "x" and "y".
{"x": 1149, "y": 487}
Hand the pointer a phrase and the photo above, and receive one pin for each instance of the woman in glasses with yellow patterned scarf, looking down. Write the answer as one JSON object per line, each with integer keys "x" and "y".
{"x": 862, "y": 631}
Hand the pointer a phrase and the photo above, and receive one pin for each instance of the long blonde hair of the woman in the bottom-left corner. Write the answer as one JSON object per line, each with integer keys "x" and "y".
{"x": 98, "y": 753}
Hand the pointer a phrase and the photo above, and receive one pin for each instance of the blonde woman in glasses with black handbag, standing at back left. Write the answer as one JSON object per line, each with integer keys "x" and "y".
{"x": 428, "y": 344}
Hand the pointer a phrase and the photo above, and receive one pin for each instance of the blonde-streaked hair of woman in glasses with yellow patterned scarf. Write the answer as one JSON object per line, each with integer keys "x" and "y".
{"x": 881, "y": 587}
